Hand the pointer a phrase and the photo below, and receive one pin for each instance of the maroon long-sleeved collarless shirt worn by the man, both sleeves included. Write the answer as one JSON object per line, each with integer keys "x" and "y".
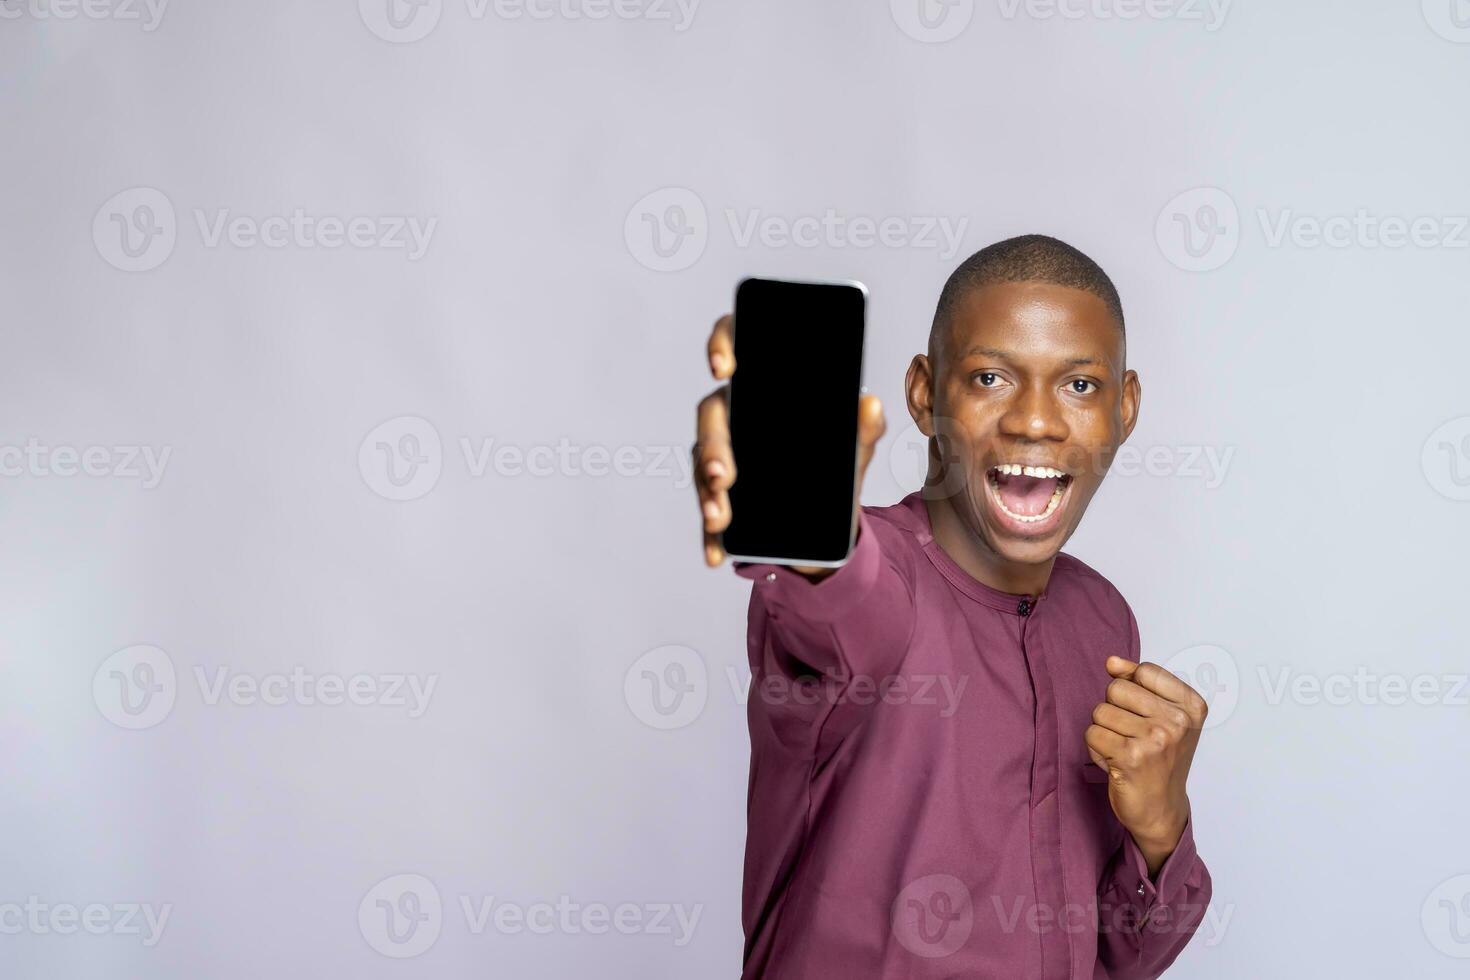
{"x": 922, "y": 803}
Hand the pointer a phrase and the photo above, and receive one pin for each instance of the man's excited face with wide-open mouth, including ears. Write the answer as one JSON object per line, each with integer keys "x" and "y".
{"x": 1031, "y": 375}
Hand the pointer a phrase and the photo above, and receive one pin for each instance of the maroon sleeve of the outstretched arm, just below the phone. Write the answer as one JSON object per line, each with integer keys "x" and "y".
{"x": 852, "y": 627}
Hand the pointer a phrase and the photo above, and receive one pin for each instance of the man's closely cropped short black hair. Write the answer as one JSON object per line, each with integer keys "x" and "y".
{"x": 1025, "y": 259}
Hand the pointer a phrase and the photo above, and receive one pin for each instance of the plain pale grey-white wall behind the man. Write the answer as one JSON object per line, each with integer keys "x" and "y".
{"x": 1328, "y": 380}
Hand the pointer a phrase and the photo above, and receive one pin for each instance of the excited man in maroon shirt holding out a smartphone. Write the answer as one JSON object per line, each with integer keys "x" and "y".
{"x": 1034, "y": 822}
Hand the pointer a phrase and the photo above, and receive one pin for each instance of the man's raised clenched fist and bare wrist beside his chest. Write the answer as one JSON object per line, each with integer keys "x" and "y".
{"x": 1144, "y": 735}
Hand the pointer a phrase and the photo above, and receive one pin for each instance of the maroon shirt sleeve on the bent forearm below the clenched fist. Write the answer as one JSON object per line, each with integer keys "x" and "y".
{"x": 1146, "y": 923}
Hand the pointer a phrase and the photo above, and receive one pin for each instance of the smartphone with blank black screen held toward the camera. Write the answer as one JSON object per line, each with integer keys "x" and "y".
{"x": 793, "y": 415}
